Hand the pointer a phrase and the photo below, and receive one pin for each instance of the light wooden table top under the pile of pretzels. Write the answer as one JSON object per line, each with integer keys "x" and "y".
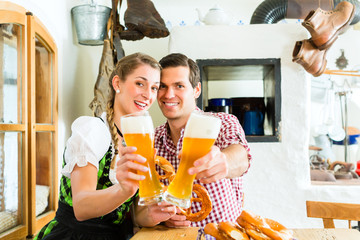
{"x": 162, "y": 233}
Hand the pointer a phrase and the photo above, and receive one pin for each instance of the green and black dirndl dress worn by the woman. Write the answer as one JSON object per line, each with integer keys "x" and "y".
{"x": 115, "y": 225}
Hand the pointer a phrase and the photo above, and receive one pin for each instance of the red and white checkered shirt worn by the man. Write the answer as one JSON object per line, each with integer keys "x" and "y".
{"x": 226, "y": 194}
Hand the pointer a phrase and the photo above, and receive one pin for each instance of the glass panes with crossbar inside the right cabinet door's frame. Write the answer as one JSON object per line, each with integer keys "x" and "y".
{"x": 44, "y": 133}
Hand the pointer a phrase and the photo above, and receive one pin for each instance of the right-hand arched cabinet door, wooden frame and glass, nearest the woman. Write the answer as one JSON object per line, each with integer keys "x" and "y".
{"x": 42, "y": 124}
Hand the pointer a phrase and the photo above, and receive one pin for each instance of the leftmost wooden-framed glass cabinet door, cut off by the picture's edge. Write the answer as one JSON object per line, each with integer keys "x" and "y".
{"x": 13, "y": 136}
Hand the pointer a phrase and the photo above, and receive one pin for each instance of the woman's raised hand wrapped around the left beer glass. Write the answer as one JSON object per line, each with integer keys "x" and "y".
{"x": 127, "y": 169}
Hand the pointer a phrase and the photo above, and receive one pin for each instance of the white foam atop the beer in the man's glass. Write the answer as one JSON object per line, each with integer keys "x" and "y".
{"x": 202, "y": 126}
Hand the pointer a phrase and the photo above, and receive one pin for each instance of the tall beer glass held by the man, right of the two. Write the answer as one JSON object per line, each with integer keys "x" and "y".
{"x": 200, "y": 134}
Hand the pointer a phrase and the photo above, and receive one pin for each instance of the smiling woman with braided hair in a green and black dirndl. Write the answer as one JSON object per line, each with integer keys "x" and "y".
{"x": 95, "y": 199}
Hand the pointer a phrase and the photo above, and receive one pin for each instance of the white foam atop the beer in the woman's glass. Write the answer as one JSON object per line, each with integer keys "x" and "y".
{"x": 140, "y": 124}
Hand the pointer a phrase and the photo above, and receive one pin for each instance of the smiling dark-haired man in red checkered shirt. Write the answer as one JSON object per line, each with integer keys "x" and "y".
{"x": 221, "y": 170}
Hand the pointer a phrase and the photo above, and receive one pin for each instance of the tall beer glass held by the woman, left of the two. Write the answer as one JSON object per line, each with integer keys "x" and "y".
{"x": 138, "y": 131}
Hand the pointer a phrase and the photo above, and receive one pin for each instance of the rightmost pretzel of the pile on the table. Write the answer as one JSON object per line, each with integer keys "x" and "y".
{"x": 260, "y": 228}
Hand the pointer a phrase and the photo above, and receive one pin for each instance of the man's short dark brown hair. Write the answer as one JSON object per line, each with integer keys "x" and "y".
{"x": 178, "y": 59}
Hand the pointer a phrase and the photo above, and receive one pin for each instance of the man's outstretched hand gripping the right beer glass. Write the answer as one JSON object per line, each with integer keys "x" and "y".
{"x": 211, "y": 167}
